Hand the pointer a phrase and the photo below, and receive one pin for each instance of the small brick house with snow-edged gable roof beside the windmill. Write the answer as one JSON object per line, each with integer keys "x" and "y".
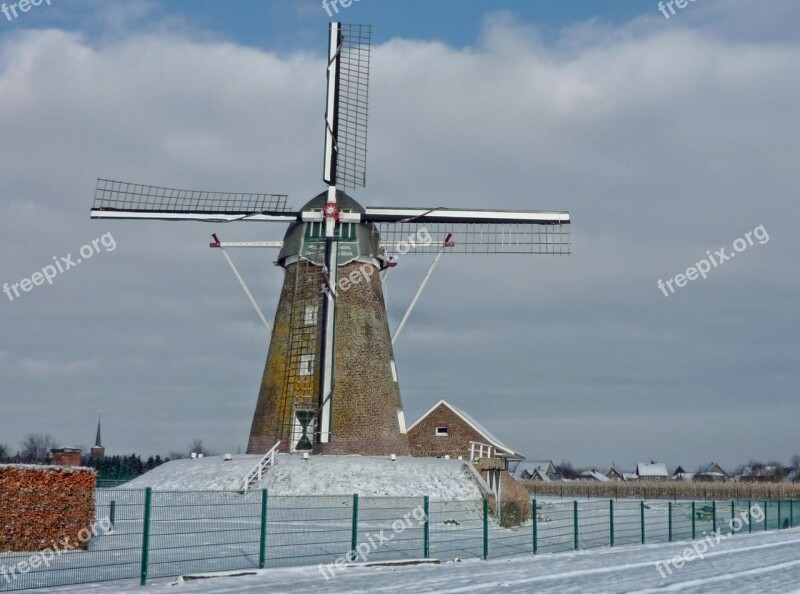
{"x": 446, "y": 431}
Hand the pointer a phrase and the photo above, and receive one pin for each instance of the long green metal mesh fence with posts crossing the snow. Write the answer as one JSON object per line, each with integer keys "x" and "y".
{"x": 151, "y": 534}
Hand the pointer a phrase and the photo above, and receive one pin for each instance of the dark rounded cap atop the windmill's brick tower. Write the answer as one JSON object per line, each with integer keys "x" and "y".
{"x": 356, "y": 241}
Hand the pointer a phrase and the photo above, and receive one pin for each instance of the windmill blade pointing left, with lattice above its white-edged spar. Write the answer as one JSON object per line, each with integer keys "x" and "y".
{"x": 123, "y": 200}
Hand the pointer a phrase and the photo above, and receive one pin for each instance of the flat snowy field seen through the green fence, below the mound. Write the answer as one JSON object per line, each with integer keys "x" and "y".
{"x": 218, "y": 531}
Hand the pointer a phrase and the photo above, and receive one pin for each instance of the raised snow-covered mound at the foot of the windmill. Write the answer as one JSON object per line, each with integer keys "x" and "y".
{"x": 368, "y": 476}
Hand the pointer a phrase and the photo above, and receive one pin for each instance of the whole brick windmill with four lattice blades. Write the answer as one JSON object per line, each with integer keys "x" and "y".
{"x": 330, "y": 380}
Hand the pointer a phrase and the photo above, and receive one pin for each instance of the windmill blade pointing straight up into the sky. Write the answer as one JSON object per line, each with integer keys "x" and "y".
{"x": 348, "y": 101}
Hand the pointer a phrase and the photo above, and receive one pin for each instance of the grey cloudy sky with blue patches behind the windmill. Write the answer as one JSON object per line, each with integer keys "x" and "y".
{"x": 664, "y": 138}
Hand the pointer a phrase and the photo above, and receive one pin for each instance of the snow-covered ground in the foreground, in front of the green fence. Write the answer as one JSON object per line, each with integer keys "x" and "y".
{"x": 760, "y": 563}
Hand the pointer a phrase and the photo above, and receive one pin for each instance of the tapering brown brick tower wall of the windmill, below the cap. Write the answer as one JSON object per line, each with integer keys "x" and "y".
{"x": 366, "y": 399}
